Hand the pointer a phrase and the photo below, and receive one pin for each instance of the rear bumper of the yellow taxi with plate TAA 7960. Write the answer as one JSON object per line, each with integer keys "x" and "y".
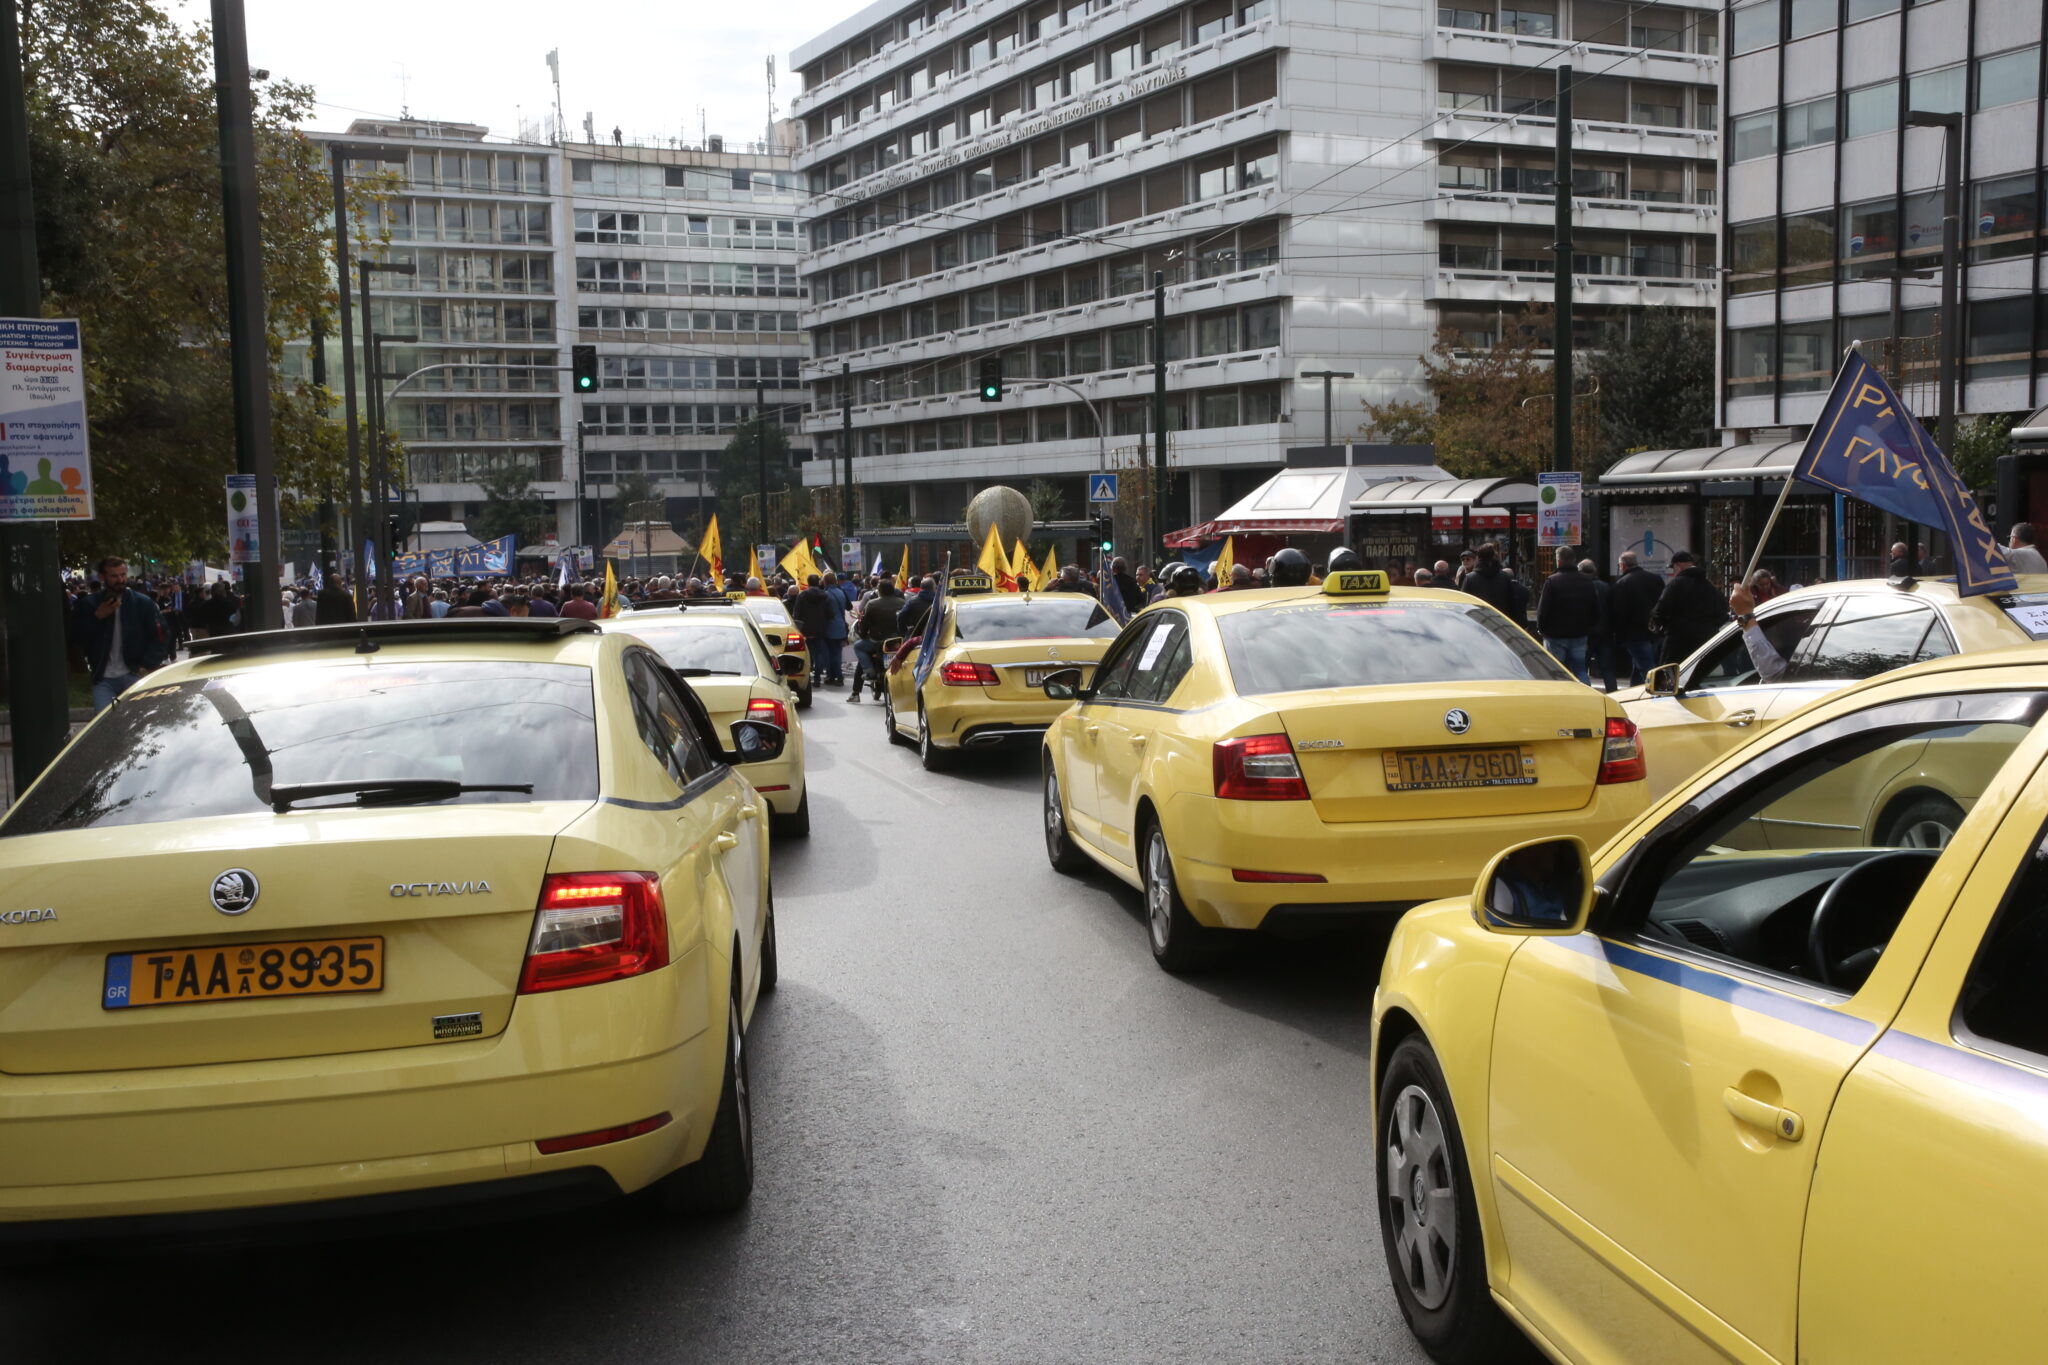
{"x": 1371, "y": 869}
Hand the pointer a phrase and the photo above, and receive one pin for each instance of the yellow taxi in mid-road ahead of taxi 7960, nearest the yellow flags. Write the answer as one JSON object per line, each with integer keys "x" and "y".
{"x": 984, "y": 682}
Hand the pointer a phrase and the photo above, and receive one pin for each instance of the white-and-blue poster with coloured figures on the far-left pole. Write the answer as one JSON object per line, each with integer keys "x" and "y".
{"x": 44, "y": 449}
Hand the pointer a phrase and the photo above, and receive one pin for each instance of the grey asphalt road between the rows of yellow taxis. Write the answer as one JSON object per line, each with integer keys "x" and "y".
{"x": 988, "y": 1131}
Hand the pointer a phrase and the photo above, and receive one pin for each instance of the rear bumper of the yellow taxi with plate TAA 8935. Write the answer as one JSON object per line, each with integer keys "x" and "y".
{"x": 187, "y": 1141}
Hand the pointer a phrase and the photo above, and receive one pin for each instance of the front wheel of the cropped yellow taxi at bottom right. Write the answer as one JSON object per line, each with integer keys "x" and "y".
{"x": 1431, "y": 1221}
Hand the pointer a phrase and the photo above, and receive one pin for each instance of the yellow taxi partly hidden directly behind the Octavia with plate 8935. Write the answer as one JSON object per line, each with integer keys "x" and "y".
{"x": 722, "y": 656}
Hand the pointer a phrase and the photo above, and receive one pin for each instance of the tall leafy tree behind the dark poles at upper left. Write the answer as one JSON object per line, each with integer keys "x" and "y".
{"x": 128, "y": 197}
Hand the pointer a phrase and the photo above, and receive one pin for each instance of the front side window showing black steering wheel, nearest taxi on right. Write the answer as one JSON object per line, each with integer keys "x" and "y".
{"x": 1748, "y": 873}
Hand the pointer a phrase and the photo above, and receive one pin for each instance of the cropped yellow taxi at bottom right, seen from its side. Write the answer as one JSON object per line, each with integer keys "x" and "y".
{"x": 1754, "y": 1082}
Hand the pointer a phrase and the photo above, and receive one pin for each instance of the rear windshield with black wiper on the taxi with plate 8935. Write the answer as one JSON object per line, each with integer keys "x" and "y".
{"x": 220, "y": 746}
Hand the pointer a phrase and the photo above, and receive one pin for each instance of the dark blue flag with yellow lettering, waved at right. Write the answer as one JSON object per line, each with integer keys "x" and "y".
{"x": 1867, "y": 445}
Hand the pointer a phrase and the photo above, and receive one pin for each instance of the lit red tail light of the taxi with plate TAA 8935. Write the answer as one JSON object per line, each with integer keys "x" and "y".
{"x": 595, "y": 926}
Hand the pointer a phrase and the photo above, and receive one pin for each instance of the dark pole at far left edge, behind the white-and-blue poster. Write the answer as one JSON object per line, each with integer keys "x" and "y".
{"x": 34, "y": 580}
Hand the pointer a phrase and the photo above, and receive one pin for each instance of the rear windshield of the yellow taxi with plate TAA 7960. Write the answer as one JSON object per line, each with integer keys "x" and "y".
{"x": 1373, "y": 644}
